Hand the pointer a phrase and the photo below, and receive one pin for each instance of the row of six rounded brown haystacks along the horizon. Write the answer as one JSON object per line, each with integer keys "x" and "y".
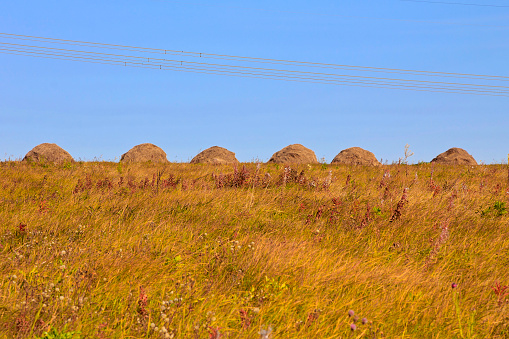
{"x": 293, "y": 154}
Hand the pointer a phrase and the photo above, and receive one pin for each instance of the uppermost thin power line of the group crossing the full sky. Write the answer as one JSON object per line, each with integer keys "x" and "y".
{"x": 250, "y": 59}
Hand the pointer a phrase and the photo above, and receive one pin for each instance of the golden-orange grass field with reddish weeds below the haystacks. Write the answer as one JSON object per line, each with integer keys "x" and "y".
{"x": 107, "y": 250}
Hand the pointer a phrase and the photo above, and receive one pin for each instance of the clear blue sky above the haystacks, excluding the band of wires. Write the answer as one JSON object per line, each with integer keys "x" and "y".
{"x": 102, "y": 111}
